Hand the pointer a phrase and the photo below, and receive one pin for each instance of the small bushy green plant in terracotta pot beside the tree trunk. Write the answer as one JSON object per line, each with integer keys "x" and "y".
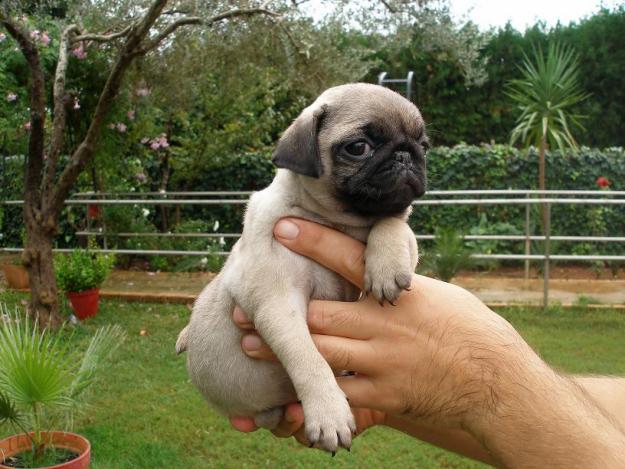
{"x": 80, "y": 275}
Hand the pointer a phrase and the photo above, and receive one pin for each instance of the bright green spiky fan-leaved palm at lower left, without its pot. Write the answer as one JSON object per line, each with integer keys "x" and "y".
{"x": 42, "y": 377}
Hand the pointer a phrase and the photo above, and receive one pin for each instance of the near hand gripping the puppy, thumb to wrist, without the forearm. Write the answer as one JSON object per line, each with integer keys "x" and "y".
{"x": 434, "y": 356}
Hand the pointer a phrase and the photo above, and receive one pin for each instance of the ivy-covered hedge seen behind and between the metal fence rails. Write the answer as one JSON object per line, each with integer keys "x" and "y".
{"x": 459, "y": 167}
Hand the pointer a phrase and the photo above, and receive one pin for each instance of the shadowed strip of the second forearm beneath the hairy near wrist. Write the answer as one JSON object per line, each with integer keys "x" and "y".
{"x": 458, "y": 441}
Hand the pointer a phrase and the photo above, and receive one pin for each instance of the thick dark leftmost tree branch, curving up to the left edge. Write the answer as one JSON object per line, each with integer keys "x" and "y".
{"x": 32, "y": 196}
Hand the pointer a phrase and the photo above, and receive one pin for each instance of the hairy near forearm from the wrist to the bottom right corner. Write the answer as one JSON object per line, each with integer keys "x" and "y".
{"x": 537, "y": 417}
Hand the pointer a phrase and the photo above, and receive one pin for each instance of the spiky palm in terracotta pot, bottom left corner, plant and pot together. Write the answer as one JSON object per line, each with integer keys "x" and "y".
{"x": 42, "y": 385}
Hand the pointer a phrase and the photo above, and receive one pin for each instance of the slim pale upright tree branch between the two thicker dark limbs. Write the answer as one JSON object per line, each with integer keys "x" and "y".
{"x": 58, "y": 124}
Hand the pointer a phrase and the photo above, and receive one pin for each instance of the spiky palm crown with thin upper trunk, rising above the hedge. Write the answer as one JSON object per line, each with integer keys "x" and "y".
{"x": 547, "y": 90}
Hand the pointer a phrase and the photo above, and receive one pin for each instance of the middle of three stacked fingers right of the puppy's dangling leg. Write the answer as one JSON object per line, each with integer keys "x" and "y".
{"x": 347, "y": 354}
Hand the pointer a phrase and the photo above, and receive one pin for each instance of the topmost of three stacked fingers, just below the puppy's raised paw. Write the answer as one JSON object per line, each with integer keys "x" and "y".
{"x": 357, "y": 320}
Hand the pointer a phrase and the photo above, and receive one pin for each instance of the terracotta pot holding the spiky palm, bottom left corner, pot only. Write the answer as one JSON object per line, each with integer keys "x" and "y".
{"x": 17, "y": 444}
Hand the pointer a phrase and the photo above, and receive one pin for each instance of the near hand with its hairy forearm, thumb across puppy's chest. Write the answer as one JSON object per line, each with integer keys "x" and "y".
{"x": 458, "y": 373}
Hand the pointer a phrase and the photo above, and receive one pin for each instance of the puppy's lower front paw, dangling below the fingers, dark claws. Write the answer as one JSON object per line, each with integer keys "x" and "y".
{"x": 329, "y": 422}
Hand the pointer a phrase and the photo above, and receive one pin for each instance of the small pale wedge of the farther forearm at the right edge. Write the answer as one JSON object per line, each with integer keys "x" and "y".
{"x": 608, "y": 393}
